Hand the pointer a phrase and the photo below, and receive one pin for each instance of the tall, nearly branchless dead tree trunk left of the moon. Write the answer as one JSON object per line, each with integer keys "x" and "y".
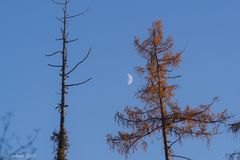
{"x": 60, "y": 138}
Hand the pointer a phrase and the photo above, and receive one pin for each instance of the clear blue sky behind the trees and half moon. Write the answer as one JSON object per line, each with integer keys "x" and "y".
{"x": 210, "y": 67}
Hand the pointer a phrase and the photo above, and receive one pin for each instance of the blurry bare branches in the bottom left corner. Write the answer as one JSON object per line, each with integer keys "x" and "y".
{"x": 12, "y": 146}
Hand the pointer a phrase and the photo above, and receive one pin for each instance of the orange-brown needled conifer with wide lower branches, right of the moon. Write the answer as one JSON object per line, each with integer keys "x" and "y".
{"x": 161, "y": 115}
